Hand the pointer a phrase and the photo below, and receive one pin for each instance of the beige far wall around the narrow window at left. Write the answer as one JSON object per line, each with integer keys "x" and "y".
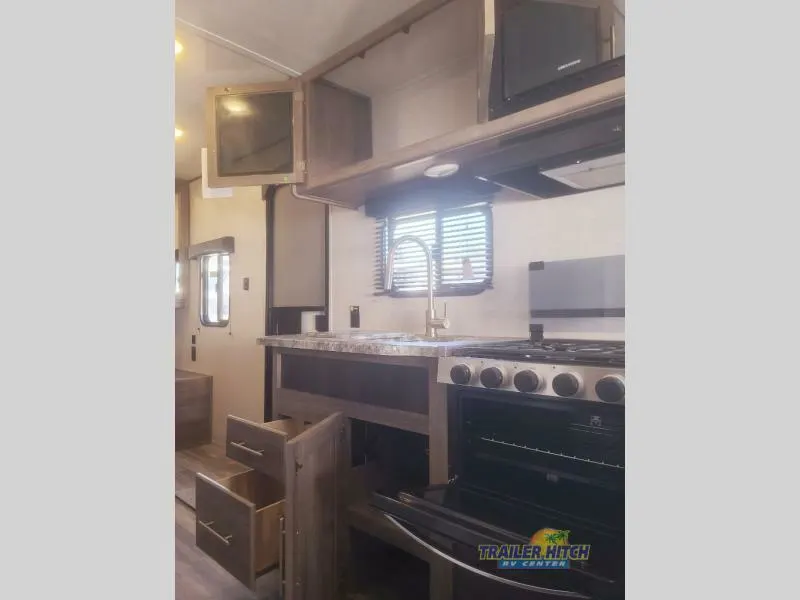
{"x": 229, "y": 354}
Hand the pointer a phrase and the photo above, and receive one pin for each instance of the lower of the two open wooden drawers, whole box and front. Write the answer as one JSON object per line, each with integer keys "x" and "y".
{"x": 239, "y": 522}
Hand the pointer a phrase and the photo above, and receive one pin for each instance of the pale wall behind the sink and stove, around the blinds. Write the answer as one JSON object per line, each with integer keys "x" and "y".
{"x": 525, "y": 230}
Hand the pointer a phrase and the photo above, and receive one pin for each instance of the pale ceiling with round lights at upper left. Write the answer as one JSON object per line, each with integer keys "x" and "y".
{"x": 256, "y": 41}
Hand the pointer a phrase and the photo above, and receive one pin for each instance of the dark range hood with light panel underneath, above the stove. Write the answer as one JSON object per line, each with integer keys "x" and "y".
{"x": 577, "y": 156}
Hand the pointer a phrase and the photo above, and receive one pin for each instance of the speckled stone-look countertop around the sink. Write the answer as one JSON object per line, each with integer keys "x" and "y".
{"x": 376, "y": 343}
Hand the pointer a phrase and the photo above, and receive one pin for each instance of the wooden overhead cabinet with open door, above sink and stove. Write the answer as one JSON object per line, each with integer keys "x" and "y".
{"x": 420, "y": 90}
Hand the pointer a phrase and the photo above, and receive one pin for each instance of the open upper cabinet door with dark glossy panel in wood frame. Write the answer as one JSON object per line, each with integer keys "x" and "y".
{"x": 255, "y": 134}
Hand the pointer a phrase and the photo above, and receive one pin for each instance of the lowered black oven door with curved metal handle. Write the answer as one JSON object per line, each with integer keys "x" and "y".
{"x": 430, "y": 520}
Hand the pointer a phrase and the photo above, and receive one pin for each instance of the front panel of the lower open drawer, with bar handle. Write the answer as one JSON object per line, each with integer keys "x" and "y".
{"x": 225, "y": 529}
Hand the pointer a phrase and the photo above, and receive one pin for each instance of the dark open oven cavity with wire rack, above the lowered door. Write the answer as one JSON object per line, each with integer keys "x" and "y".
{"x": 548, "y": 451}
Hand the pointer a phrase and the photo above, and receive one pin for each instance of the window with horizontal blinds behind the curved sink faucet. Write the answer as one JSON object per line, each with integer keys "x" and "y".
{"x": 460, "y": 240}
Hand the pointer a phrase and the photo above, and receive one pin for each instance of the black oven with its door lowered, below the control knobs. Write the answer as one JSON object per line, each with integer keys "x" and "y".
{"x": 523, "y": 463}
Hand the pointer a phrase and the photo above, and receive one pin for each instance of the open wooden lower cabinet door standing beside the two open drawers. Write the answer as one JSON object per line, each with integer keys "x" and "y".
{"x": 314, "y": 461}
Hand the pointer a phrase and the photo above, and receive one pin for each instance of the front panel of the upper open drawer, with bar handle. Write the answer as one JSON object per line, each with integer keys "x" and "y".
{"x": 257, "y": 447}
